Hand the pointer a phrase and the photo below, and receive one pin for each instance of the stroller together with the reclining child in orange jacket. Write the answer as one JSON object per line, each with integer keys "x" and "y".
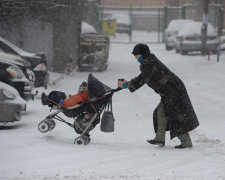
{"x": 85, "y": 108}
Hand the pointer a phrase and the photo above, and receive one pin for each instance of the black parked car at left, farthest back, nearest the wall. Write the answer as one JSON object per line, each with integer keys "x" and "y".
{"x": 38, "y": 61}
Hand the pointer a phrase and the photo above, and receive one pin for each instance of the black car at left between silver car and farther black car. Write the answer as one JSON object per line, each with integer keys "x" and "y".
{"x": 11, "y": 74}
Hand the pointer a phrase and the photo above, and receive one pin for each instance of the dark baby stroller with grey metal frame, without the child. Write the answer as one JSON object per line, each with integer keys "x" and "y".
{"x": 87, "y": 115}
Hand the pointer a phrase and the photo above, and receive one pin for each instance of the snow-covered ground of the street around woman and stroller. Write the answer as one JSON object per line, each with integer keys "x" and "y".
{"x": 28, "y": 154}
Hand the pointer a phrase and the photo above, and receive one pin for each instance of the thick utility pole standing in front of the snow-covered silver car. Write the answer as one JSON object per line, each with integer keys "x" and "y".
{"x": 204, "y": 26}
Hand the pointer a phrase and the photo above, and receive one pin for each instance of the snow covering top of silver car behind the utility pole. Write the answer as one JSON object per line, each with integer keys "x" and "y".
{"x": 194, "y": 28}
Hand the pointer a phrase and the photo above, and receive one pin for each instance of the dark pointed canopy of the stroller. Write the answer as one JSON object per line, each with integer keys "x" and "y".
{"x": 96, "y": 89}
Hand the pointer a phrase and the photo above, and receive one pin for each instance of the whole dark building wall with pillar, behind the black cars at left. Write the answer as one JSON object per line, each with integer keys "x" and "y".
{"x": 52, "y": 27}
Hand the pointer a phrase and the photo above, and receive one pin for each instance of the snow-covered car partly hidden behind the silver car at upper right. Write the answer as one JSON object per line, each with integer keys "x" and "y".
{"x": 172, "y": 30}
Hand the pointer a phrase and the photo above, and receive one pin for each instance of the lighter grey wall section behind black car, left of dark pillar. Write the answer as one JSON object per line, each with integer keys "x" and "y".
{"x": 31, "y": 35}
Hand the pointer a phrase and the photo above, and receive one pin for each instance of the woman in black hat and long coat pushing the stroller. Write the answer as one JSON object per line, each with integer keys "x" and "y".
{"x": 174, "y": 112}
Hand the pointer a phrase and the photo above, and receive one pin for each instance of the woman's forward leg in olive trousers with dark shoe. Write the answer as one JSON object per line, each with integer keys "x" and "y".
{"x": 161, "y": 131}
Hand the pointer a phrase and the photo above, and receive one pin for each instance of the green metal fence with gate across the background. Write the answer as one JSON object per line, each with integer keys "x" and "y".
{"x": 147, "y": 24}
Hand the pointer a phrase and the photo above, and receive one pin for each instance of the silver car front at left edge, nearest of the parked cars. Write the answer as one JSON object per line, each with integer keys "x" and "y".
{"x": 11, "y": 104}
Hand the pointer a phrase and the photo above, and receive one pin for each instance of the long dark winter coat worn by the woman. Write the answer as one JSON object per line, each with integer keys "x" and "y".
{"x": 177, "y": 105}
